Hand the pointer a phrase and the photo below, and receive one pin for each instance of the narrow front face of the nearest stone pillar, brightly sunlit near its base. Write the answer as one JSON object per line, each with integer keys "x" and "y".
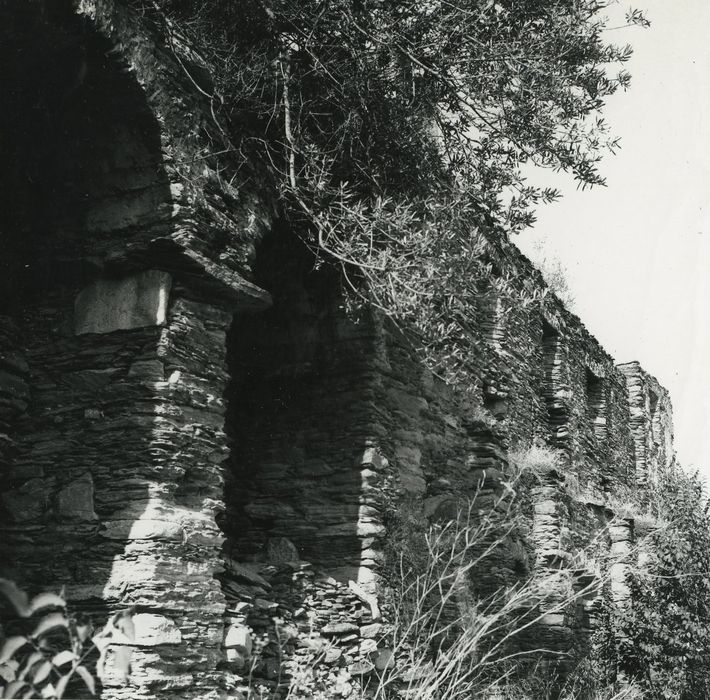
{"x": 171, "y": 544}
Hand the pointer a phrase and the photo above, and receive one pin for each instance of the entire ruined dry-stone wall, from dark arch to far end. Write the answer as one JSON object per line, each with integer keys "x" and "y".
{"x": 191, "y": 424}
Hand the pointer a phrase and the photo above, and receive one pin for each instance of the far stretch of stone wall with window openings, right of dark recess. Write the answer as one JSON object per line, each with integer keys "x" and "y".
{"x": 542, "y": 380}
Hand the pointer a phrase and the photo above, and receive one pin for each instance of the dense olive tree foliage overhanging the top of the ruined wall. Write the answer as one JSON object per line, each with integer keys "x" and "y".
{"x": 394, "y": 131}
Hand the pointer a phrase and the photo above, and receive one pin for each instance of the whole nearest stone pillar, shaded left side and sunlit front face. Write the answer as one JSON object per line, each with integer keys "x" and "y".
{"x": 116, "y": 475}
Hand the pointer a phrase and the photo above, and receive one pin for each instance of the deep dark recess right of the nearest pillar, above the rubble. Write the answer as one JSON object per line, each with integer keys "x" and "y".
{"x": 300, "y": 418}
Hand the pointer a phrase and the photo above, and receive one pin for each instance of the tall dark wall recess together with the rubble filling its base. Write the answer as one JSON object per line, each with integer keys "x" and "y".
{"x": 303, "y": 492}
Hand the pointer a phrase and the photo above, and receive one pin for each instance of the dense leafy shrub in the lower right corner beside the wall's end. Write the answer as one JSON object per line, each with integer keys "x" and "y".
{"x": 664, "y": 635}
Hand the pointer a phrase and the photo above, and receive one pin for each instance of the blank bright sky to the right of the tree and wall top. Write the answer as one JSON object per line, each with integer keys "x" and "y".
{"x": 637, "y": 252}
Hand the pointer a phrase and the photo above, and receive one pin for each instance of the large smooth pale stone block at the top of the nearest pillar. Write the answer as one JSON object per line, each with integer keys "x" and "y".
{"x": 135, "y": 301}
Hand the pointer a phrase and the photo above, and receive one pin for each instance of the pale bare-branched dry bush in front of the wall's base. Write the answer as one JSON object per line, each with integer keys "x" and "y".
{"x": 462, "y": 618}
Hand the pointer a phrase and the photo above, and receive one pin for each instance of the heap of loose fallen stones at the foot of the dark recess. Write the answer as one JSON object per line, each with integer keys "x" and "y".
{"x": 308, "y": 622}
